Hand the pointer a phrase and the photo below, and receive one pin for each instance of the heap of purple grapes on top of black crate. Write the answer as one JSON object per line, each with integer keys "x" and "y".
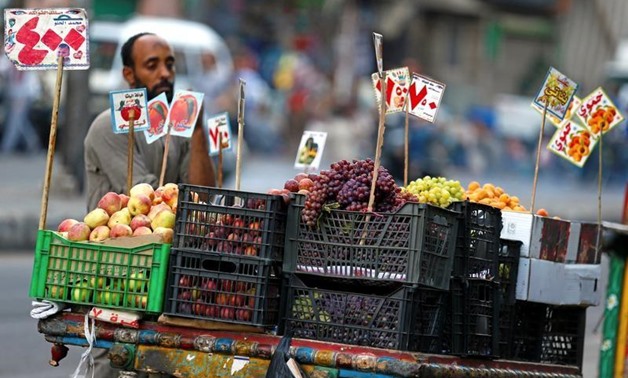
{"x": 349, "y": 185}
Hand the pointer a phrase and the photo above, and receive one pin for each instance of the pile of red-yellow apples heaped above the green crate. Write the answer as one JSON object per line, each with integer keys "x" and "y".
{"x": 144, "y": 211}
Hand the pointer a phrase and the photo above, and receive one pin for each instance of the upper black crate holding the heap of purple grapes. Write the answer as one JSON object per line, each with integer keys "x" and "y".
{"x": 413, "y": 245}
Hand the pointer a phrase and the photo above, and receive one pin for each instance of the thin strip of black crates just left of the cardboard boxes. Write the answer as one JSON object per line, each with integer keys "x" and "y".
{"x": 509, "y": 254}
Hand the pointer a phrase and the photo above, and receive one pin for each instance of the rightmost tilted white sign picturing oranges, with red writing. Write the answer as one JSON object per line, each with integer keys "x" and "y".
{"x": 599, "y": 113}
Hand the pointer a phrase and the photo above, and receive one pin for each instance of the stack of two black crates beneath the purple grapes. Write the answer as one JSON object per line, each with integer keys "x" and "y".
{"x": 377, "y": 280}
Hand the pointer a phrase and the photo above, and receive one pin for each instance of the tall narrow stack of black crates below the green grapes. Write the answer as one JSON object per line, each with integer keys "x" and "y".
{"x": 473, "y": 328}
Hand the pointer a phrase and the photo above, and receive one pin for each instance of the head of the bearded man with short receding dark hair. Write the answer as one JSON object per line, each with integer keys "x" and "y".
{"x": 153, "y": 66}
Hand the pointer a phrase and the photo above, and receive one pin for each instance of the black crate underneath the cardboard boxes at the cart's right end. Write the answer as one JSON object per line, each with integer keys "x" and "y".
{"x": 549, "y": 334}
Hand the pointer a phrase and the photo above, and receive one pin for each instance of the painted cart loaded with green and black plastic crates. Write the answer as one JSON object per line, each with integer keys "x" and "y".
{"x": 423, "y": 292}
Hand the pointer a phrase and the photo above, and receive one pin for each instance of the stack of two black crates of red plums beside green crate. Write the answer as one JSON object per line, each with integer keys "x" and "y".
{"x": 226, "y": 257}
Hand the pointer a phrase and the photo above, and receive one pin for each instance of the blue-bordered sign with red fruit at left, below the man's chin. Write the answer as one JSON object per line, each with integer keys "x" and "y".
{"x": 125, "y": 103}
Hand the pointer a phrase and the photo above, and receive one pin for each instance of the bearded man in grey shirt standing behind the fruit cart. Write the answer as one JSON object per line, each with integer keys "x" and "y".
{"x": 148, "y": 61}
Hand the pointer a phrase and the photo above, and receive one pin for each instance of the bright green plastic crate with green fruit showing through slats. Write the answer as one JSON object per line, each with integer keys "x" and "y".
{"x": 95, "y": 274}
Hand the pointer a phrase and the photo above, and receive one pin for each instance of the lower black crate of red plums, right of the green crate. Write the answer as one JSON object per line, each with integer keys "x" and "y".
{"x": 227, "y": 288}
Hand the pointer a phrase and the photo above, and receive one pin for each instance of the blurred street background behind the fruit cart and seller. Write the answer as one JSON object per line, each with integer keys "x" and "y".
{"x": 308, "y": 66}
